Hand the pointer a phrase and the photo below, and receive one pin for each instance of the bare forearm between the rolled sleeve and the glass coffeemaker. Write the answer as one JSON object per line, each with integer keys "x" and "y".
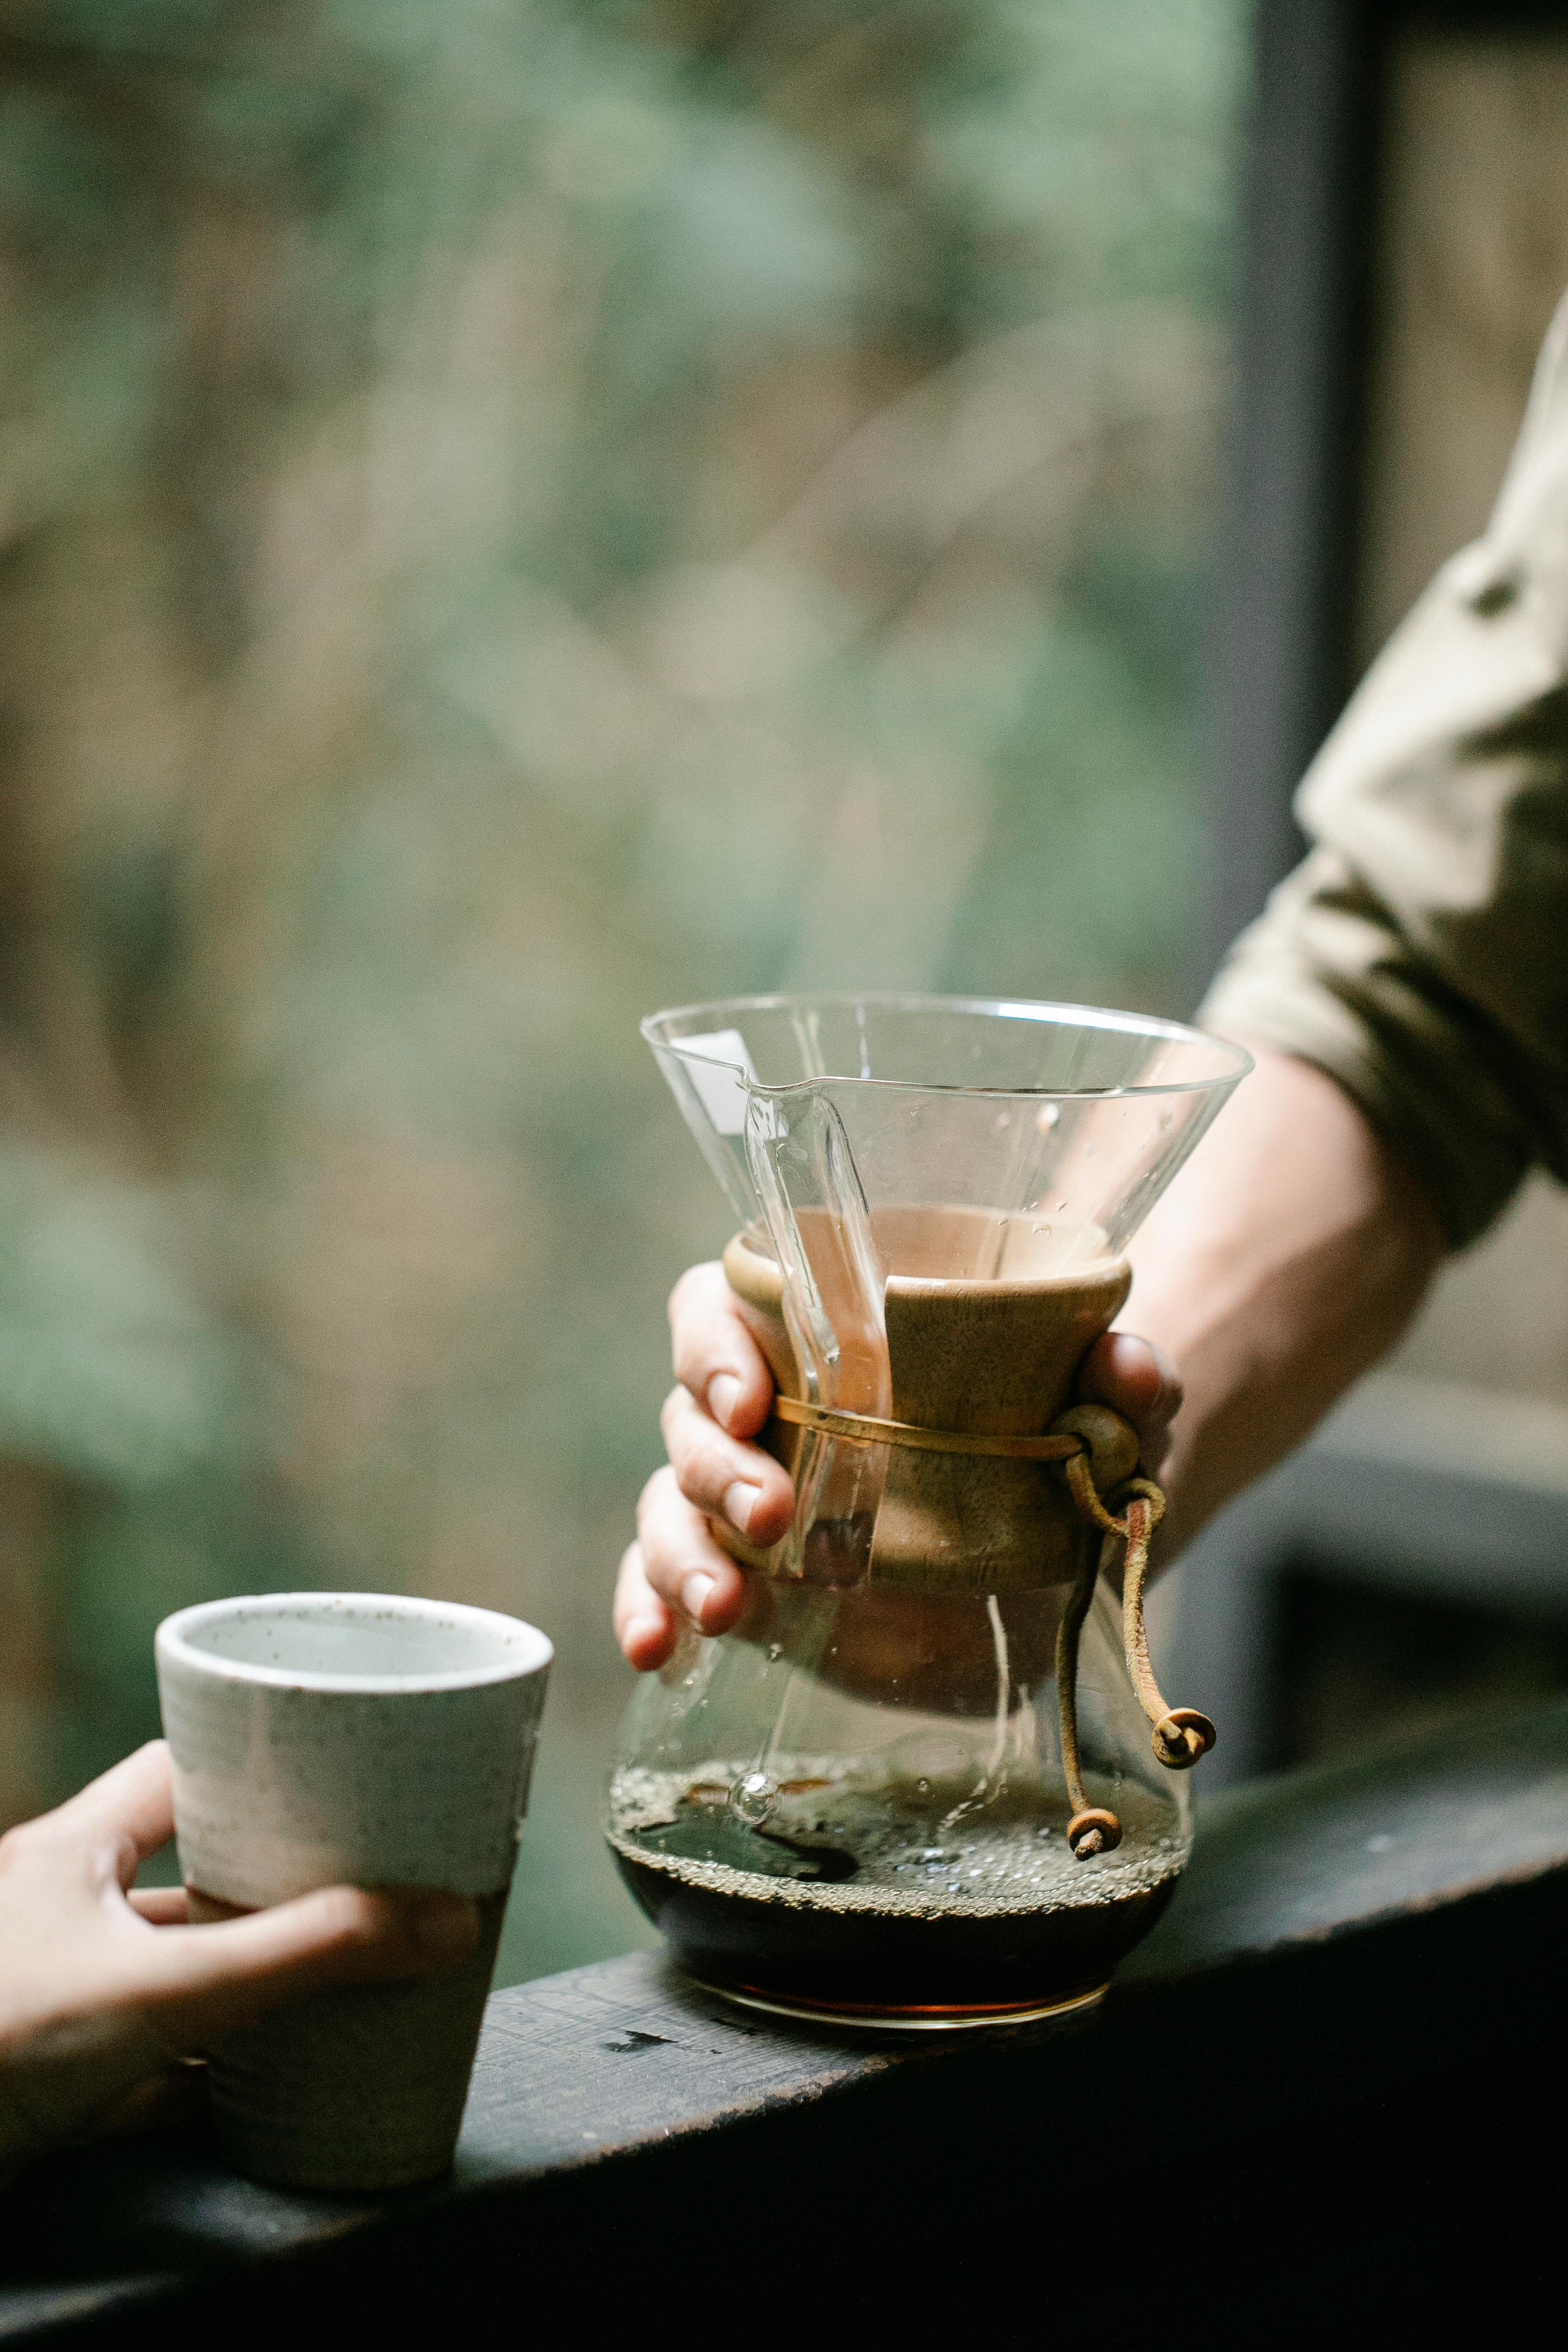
{"x": 1287, "y": 1257}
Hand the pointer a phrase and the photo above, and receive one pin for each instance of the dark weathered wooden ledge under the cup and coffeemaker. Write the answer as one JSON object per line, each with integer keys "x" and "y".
{"x": 1322, "y": 2099}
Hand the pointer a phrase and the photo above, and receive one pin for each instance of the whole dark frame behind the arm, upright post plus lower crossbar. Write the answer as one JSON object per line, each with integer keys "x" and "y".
{"x": 1282, "y": 657}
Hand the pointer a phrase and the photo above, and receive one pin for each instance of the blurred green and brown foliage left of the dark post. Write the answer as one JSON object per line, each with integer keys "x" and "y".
{"x": 521, "y": 512}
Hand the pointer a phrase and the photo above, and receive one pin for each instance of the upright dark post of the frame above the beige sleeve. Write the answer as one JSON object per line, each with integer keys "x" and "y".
{"x": 1306, "y": 321}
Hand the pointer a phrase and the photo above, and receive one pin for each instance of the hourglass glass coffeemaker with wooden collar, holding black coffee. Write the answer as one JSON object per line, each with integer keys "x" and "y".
{"x": 930, "y": 1779}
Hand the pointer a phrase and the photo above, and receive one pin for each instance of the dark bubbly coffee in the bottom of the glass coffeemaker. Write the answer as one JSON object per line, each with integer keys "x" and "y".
{"x": 885, "y": 1899}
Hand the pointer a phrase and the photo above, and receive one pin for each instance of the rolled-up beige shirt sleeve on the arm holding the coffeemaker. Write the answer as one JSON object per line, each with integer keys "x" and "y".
{"x": 1421, "y": 951}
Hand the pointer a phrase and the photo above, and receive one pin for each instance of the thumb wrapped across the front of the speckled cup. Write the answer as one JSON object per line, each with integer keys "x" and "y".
{"x": 203, "y": 1982}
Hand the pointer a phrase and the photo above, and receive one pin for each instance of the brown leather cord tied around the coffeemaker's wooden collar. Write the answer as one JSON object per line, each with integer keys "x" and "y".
{"x": 1085, "y": 1441}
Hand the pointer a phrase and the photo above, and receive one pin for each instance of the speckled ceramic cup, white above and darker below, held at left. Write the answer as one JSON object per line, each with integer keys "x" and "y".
{"x": 366, "y": 1739}
